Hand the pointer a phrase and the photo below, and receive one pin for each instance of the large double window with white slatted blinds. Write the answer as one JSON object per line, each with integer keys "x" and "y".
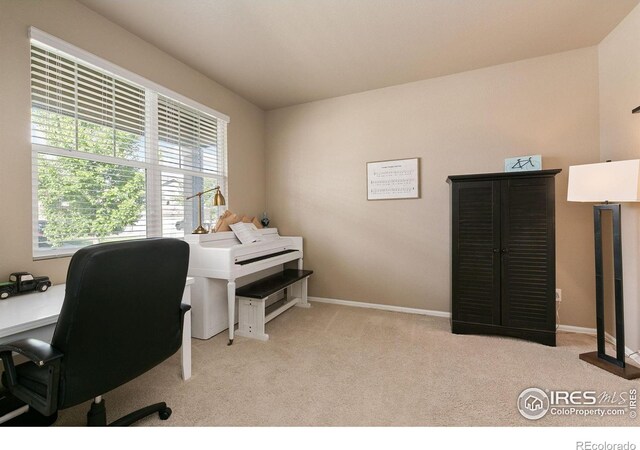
{"x": 114, "y": 155}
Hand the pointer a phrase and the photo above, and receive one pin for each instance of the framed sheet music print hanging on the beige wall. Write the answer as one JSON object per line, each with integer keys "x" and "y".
{"x": 392, "y": 179}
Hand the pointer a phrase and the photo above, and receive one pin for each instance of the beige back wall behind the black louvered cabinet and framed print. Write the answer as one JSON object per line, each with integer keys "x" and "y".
{"x": 398, "y": 252}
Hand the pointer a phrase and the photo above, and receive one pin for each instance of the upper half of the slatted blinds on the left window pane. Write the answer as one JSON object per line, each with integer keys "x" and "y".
{"x": 76, "y": 107}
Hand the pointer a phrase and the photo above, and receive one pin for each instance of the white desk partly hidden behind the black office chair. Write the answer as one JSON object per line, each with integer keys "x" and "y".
{"x": 35, "y": 316}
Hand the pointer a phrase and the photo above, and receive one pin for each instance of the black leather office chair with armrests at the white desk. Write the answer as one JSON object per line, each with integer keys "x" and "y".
{"x": 122, "y": 315}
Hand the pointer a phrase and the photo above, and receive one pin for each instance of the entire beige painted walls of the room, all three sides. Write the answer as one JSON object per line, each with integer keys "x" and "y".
{"x": 390, "y": 252}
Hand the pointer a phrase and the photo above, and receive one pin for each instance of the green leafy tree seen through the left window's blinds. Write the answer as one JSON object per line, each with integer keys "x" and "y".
{"x": 87, "y": 200}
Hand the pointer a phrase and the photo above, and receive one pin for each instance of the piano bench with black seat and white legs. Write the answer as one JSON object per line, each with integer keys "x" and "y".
{"x": 253, "y": 313}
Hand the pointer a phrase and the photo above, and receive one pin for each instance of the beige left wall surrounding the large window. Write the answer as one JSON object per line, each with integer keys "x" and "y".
{"x": 82, "y": 27}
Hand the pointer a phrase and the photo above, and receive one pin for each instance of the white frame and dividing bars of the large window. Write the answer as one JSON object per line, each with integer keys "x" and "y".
{"x": 150, "y": 164}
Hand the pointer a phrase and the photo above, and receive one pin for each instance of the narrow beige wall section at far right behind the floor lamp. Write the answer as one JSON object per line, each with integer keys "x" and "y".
{"x": 619, "y": 66}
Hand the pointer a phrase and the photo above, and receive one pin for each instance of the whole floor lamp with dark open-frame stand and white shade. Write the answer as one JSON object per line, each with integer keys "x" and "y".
{"x": 603, "y": 183}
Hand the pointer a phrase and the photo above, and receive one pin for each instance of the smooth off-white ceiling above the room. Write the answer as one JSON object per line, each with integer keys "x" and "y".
{"x": 282, "y": 52}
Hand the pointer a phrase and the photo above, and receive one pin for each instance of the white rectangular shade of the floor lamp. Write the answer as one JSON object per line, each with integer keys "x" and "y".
{"x": 617, "y": 181}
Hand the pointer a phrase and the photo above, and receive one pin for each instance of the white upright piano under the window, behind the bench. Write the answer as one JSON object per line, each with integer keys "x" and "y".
{"x": 219, "y": 263}
